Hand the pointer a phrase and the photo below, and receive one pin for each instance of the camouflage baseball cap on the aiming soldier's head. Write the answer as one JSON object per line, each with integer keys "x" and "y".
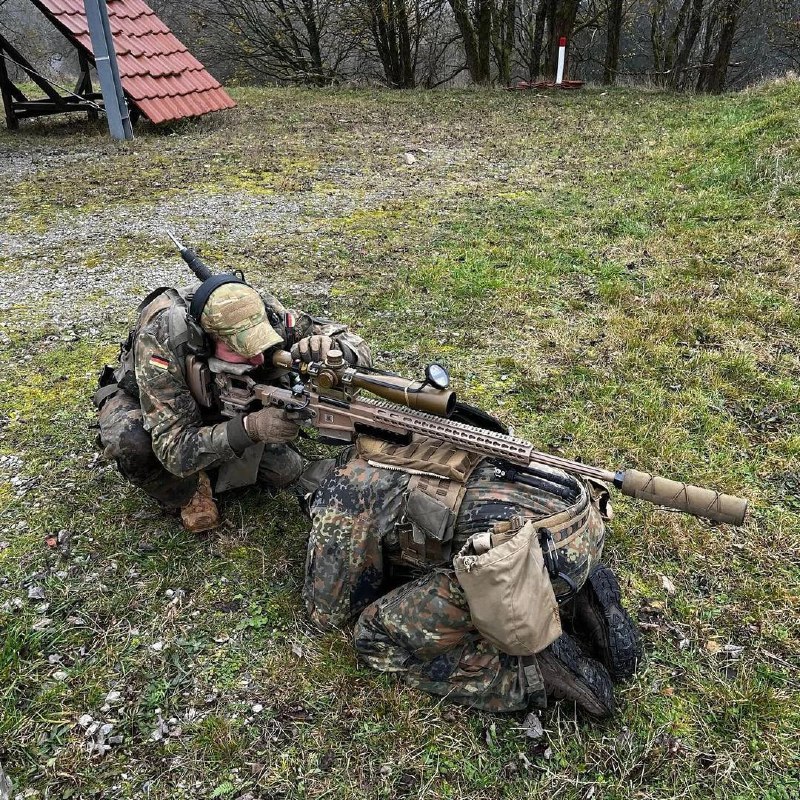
{"x": 235, "y": 314}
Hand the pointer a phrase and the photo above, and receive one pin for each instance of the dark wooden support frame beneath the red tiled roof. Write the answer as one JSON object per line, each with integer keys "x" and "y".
{"x": 18, "y": 106}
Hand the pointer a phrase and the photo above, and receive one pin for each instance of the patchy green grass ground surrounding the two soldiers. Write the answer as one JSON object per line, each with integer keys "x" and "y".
{"x": 615, "y": 273}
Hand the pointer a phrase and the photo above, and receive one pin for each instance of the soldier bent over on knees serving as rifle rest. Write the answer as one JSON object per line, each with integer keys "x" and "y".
{"x": 390, "y": 514}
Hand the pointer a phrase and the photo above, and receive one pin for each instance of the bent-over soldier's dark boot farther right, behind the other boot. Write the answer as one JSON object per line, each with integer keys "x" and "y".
{"x": 597, "y": 617}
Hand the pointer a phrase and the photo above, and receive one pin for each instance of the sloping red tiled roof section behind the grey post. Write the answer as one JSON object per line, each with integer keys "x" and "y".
{"x": 159, "y": 75}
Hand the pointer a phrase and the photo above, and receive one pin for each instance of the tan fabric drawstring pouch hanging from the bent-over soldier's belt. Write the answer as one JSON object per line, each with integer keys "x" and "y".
{"x": 510, "y": 597}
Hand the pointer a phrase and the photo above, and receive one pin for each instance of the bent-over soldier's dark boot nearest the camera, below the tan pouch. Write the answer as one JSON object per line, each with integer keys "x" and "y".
{"x": 569, "y": 675}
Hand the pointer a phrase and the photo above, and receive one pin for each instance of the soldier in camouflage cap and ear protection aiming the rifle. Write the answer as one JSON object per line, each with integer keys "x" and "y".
{"x": 158, "y": 415}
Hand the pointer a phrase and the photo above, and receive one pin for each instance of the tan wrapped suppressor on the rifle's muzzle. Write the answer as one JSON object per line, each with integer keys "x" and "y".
{"x": 683, "y": 497}
